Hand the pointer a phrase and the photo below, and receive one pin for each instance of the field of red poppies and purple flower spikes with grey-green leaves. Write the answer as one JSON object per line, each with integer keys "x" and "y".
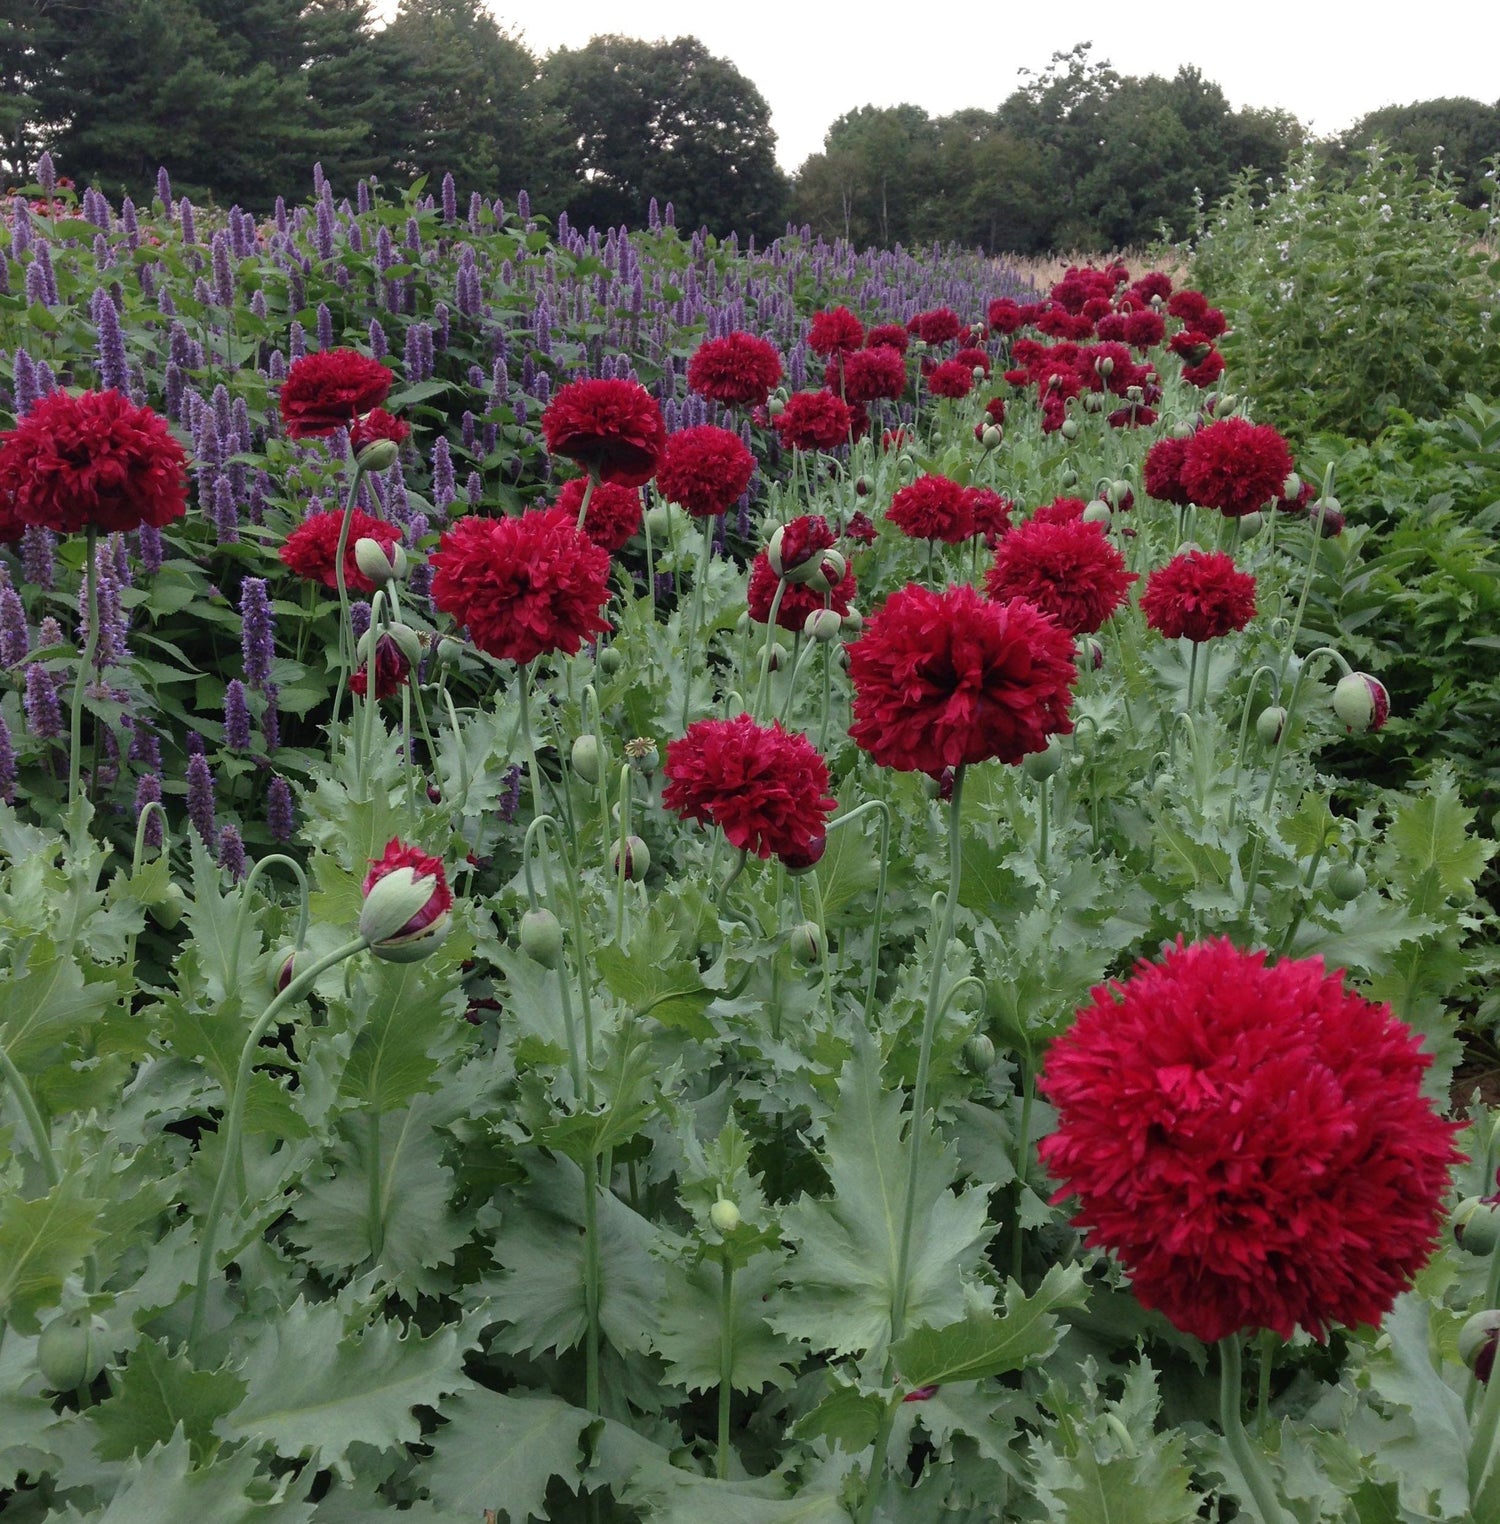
{"x": 646, "y": 880}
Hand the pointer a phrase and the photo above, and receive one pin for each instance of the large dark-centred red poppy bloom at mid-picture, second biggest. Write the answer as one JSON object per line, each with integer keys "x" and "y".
{"x": 946, "y": 679}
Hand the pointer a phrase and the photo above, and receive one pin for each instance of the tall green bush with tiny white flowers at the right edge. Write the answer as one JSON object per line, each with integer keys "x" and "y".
{"x": 1351, "y": 295}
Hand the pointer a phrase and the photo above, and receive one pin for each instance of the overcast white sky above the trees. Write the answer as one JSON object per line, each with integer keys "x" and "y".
{"x": 1325, "y": 62}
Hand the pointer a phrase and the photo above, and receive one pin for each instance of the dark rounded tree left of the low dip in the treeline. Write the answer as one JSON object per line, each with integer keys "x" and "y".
{"x": 664, "y": 121}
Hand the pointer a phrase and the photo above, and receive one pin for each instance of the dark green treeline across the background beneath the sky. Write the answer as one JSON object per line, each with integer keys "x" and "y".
{"x": 242, "y": 97}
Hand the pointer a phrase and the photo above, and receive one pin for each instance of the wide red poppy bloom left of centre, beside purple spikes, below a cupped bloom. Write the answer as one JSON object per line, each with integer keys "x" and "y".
{"x": 522, "y": 586}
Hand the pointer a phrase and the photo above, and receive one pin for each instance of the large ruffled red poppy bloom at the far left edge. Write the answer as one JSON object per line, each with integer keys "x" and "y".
{"x": 91, "y": 459}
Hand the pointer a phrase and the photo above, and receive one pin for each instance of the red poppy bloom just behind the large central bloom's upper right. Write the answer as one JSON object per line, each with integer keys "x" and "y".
{"x": 1069, "y": 571}
